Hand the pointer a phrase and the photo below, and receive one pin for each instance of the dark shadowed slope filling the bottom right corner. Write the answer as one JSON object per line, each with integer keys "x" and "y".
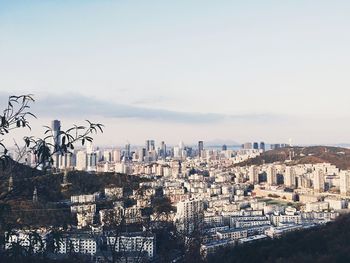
{"x": 329, "y": 243}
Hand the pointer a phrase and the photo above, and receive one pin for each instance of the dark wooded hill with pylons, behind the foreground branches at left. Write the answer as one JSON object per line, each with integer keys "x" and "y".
{"x": 17, "y": 207}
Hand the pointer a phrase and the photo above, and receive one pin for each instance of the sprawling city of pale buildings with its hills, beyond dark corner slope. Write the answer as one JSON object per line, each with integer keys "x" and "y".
{"x": 155, "y": 203}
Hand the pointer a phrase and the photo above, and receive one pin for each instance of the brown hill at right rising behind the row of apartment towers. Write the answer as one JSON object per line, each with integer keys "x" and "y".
{"x": 302, "y": 155}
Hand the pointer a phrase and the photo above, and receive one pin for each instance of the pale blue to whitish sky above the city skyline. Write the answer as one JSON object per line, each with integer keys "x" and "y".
{"x": 232, "y": 71}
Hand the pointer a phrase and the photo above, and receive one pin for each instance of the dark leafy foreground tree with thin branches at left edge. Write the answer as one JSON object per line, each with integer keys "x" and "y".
{"x": 17, "y": 115}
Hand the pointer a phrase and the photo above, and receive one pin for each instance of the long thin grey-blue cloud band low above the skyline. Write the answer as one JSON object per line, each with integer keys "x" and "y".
{"x": 84, "y": 107}
